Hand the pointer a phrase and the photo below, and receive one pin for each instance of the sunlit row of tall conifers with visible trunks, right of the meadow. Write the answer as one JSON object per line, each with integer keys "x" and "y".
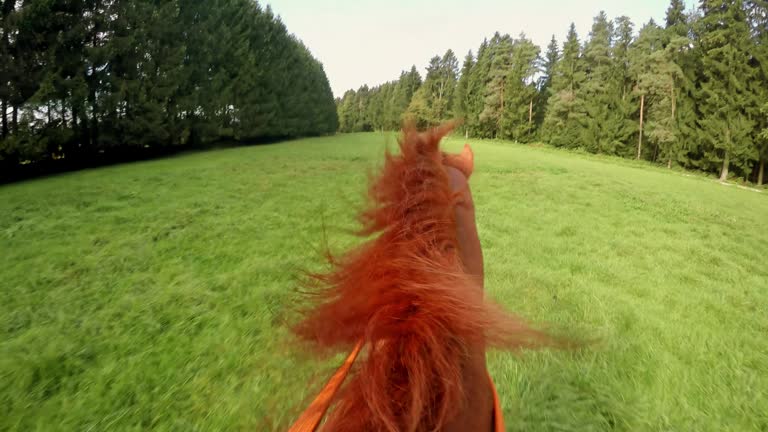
{"x": 690, "y": 92}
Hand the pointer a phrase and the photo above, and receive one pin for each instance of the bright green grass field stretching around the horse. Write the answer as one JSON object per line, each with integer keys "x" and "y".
{"x": 154, "y": 296}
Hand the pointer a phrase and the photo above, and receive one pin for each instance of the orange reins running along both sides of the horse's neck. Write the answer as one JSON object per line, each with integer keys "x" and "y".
{"x": 309, "y": 420}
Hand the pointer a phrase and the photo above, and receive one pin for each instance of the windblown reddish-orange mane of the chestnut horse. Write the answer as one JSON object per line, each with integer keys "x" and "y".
{"x": 406, "y": 295}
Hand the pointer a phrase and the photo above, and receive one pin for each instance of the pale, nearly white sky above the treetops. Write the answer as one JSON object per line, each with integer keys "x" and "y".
{"x": 370, "y": 42}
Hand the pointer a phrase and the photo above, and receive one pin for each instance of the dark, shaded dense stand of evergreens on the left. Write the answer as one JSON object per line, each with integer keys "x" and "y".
{"x": 83, "y": 78}
